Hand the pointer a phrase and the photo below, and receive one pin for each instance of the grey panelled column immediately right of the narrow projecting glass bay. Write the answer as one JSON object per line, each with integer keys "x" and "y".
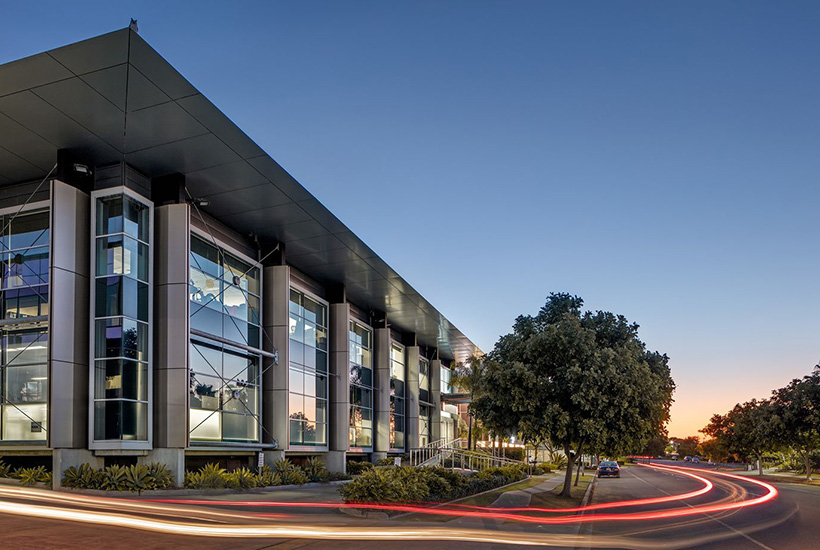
{"x": 171, "y": 379}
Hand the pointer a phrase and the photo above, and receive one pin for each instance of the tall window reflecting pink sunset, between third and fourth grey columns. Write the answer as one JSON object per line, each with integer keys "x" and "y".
{"x": 308, "y": 371}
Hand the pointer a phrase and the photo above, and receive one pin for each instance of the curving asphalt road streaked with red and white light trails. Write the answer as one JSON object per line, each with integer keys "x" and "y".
{"x": 788, "y": 522}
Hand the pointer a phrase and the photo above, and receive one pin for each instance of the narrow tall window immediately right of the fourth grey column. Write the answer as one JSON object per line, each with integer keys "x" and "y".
{"x": 361, "y": 386}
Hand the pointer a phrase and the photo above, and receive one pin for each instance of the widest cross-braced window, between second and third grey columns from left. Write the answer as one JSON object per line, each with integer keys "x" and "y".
{"x": 224, "y": 393}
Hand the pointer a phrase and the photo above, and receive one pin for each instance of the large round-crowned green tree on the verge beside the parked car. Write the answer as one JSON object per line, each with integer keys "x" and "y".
{"x": 581, "y": 380}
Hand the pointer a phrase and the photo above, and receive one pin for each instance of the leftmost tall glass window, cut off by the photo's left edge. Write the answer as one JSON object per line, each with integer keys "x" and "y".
{"x": 24, "y": 262}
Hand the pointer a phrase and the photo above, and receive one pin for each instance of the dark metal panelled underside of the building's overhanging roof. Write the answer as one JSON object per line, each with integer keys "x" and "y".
{"x": 113, "y": 98}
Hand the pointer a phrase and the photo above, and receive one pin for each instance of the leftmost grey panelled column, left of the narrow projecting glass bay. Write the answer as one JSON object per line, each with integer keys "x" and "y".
{"x": 68, "y": 353}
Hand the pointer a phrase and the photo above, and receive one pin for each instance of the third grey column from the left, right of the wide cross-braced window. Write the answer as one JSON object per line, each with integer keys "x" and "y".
{"x": 275, "y": 319}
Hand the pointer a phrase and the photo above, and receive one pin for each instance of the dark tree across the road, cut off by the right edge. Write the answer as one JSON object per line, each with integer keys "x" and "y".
{"x": 797, "y": 406}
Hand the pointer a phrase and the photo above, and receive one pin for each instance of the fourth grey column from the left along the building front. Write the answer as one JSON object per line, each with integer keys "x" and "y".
{"x": 339, "y": 421}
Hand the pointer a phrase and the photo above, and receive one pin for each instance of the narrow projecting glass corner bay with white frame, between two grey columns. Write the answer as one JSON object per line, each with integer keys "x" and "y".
{"x": 122, "y": 319}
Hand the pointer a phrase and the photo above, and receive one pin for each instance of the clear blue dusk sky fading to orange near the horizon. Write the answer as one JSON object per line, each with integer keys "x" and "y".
{"x": 658, "y": 159}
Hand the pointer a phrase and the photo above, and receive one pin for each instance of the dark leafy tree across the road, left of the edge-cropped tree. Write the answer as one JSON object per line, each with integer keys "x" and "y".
{"x": 749, "y": 430}
